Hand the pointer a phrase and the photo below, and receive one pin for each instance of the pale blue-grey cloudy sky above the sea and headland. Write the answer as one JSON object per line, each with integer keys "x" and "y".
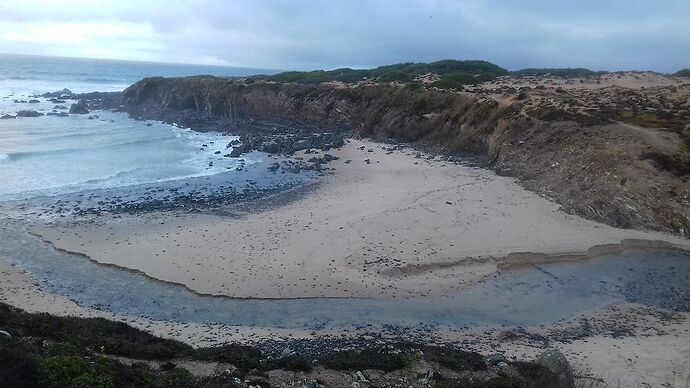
{"x": 327, "y": 34}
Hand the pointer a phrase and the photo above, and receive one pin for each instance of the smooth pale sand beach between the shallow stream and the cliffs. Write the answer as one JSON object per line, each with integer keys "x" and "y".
{"x": 400, "y": 226}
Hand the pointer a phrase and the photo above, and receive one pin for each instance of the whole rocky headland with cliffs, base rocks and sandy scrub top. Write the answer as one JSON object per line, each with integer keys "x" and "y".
{"x": 611, "y": 148}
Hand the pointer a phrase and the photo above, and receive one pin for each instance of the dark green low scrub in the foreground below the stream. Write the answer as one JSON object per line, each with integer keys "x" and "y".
{"x": 48, "y": 351}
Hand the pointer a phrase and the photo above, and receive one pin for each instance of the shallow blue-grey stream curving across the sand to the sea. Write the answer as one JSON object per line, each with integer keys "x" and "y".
{"x": 530, "y": 295}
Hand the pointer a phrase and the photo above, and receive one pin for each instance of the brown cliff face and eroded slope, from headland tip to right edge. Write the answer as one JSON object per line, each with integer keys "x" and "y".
{"x": 591, "y": 165}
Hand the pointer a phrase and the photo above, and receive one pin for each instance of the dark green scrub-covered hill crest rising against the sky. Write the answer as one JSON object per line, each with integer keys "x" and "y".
{"x": 453, "y": 73}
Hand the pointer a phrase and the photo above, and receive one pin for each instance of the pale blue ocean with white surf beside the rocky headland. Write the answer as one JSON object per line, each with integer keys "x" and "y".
{"x": 48, "y": 156}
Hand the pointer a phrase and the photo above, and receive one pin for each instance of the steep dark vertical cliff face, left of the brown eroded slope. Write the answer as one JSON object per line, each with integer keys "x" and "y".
{"x": 446, "y": 121}
